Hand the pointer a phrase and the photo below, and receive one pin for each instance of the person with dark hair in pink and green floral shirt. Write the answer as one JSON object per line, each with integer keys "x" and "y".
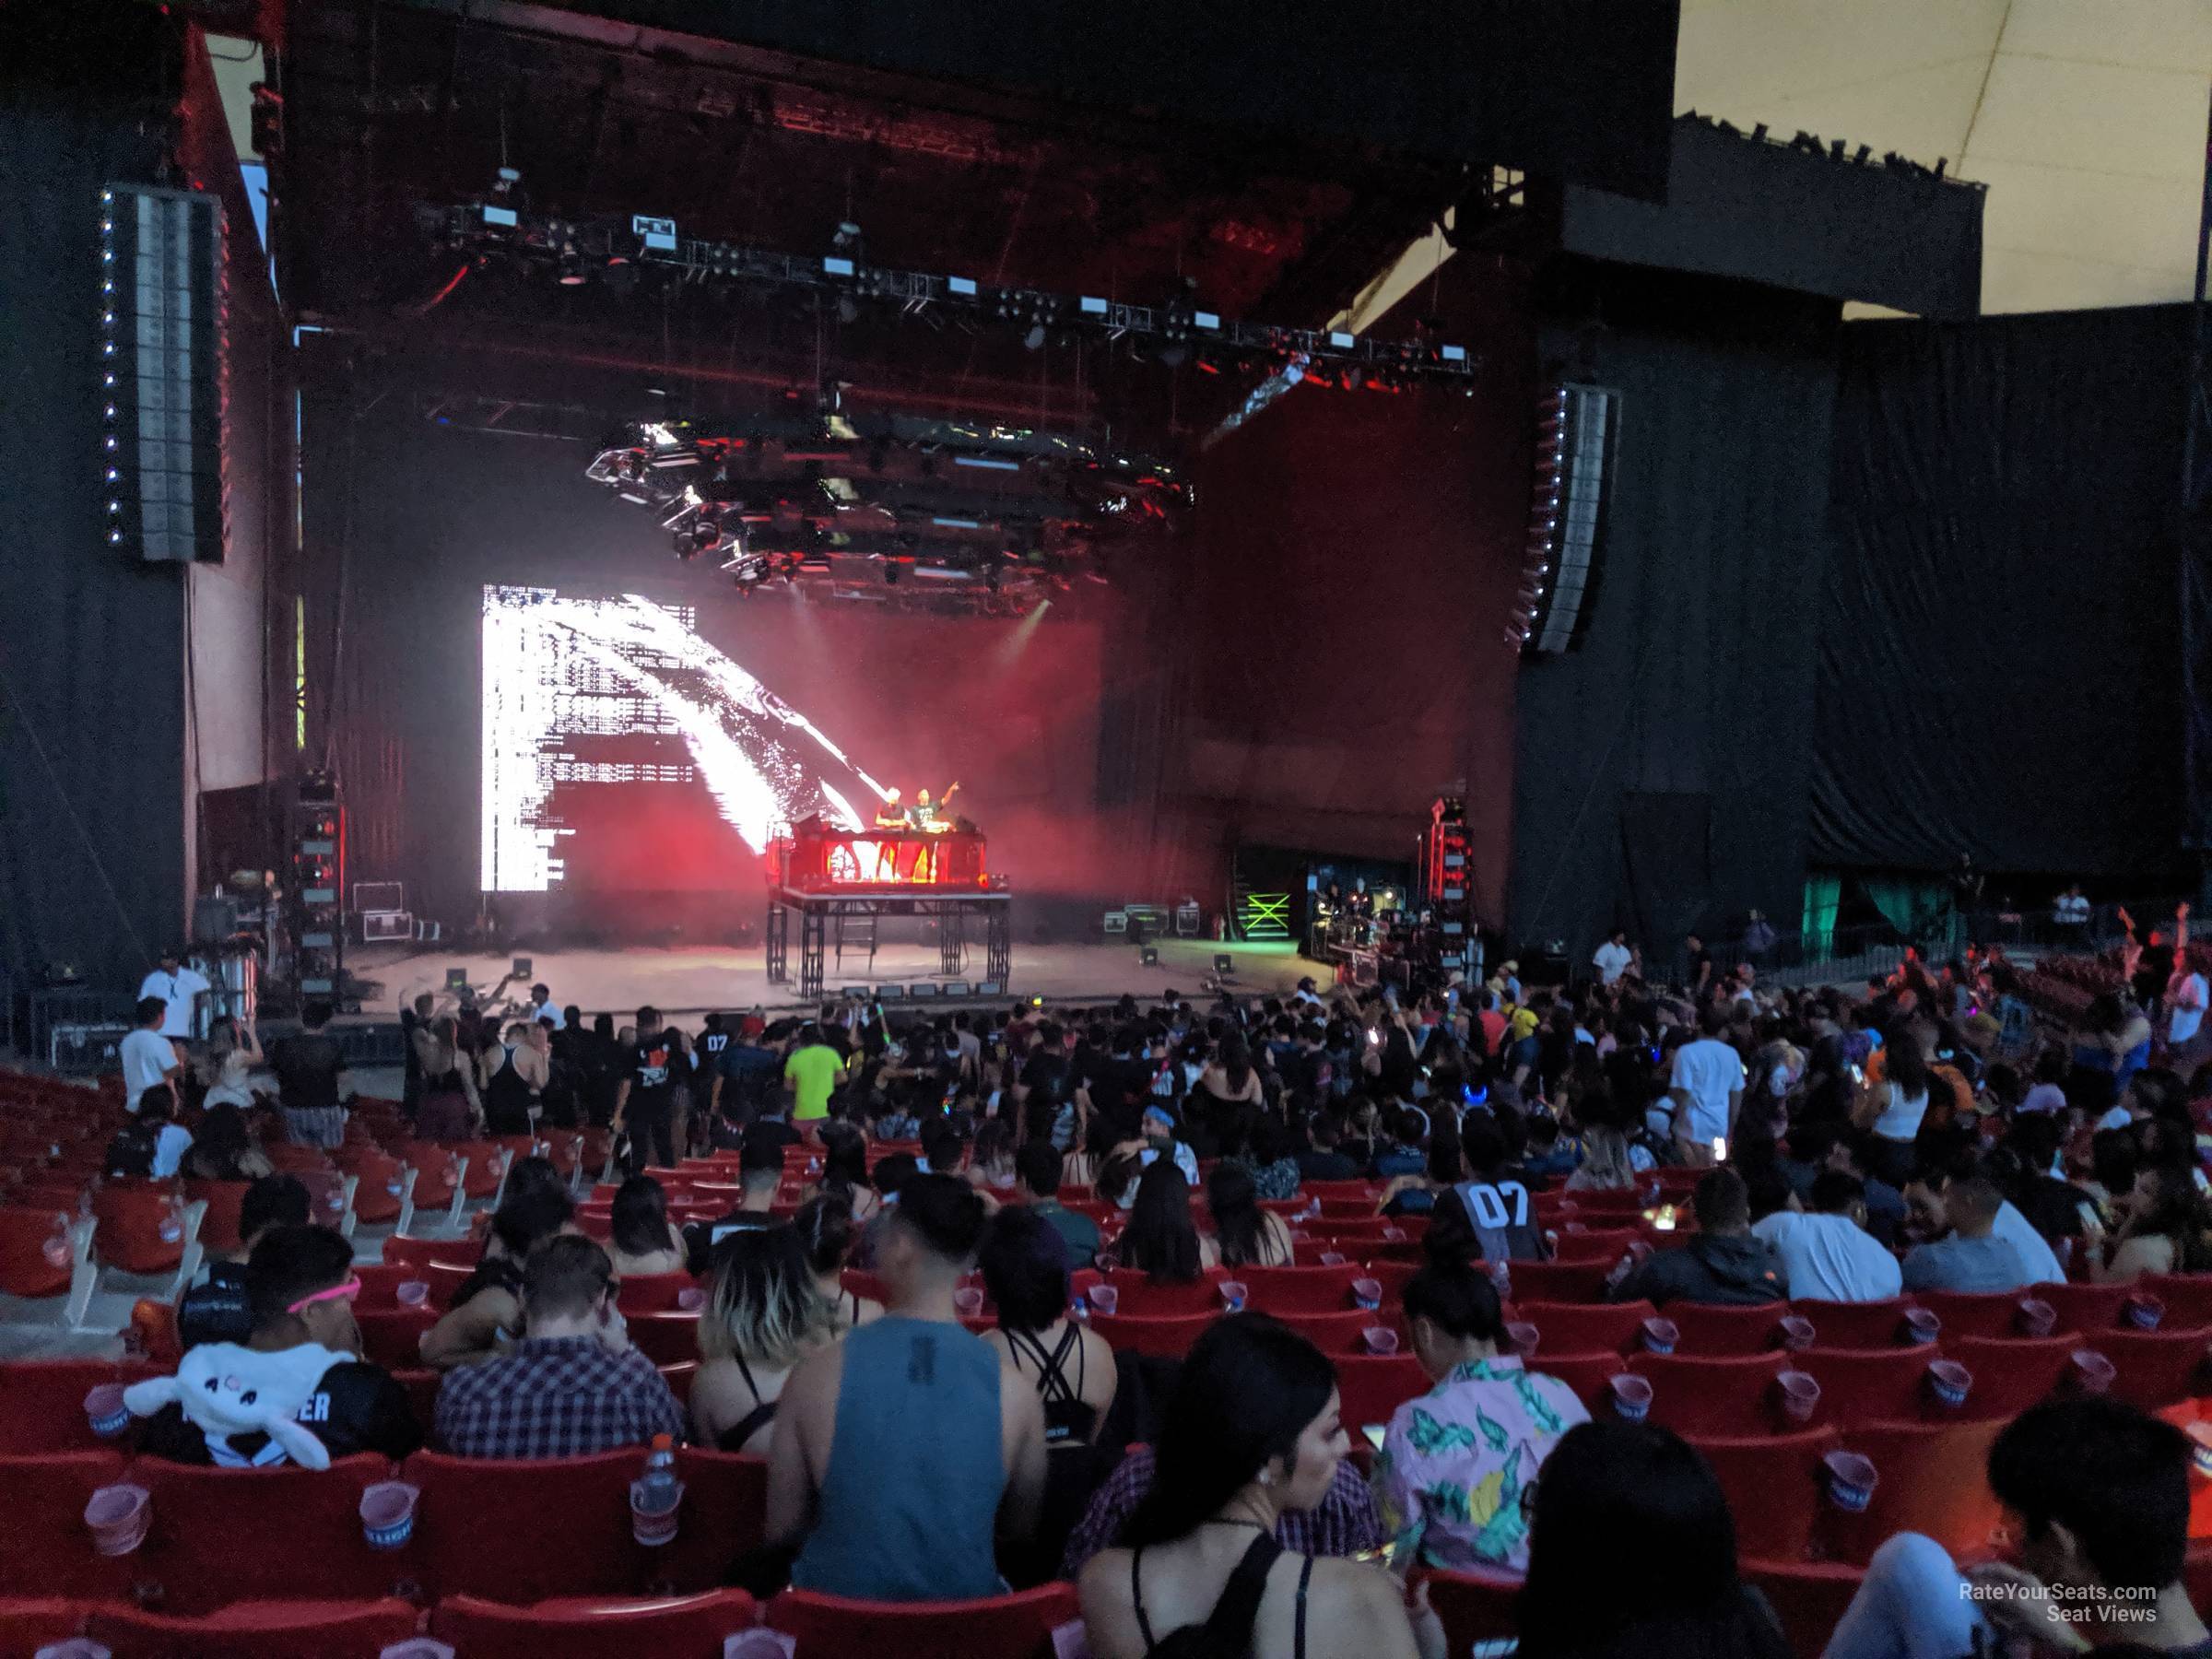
{"x": 1459, "y": 1463}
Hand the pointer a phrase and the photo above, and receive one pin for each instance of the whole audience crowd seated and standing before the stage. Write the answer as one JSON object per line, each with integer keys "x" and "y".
{"x": 1850, "y": 1147}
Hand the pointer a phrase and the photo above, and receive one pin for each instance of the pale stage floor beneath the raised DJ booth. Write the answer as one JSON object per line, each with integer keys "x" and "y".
{"x": 693, "y": 981}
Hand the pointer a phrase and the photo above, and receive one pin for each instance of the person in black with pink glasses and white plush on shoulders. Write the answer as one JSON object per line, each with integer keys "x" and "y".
{"x": 300, "y": 1291}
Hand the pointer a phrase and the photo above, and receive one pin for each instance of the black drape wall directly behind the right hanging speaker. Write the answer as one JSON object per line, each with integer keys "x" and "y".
{"x": 1662, "y": 769}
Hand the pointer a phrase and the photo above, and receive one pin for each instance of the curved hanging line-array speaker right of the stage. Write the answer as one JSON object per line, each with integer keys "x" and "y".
{"x": 1578, "y": 428}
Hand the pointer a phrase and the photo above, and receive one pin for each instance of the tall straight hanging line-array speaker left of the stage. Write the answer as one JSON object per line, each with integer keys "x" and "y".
{"x": 163, "y": 373}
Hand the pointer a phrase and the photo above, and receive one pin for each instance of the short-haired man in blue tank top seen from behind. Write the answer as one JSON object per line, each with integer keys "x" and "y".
{"x": 904, "y": 1452}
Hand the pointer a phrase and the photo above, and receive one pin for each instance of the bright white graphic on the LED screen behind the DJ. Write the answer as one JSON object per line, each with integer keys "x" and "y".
{"x": 618, "y": 738}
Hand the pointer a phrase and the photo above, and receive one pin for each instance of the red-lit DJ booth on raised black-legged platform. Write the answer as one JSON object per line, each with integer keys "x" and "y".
{"x": 846, "y": 881}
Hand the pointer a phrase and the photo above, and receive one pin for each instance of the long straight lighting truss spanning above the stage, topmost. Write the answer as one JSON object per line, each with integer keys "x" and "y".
{"x": 643, "y": 242}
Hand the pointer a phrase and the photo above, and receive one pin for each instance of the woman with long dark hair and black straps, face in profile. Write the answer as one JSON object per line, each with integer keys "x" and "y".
{"x": 1251, "y": 1434}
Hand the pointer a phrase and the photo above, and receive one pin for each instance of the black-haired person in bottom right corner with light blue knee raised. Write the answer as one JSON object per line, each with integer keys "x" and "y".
{"x": 2103, "y": 1503}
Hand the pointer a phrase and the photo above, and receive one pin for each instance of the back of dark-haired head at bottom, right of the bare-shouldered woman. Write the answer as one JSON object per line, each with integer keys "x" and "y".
{"x": 1634, "y": 1552}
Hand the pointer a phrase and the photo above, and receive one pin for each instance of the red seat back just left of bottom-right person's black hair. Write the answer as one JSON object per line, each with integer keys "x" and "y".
{"x": 1930, "y": 1479}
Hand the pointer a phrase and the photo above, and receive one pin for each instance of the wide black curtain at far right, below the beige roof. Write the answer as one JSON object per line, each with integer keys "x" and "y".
{"x": 1999, "y": 627}
